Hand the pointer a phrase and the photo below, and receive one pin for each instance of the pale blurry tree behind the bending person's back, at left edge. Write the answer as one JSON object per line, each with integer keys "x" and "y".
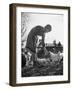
{"x": 24, "y": 25}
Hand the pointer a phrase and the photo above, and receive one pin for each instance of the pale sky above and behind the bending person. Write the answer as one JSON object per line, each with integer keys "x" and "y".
{"x": 55, "y": 20}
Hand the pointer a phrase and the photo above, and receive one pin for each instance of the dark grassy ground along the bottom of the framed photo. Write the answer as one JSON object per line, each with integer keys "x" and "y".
{"x": 43, "y": 70}
